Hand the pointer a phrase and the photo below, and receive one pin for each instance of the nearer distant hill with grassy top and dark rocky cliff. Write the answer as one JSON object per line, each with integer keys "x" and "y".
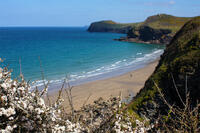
{"x": 157, "y": 29}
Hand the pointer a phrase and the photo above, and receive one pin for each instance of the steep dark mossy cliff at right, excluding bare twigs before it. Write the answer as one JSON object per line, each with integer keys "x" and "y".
{"x": 181, "y": 62}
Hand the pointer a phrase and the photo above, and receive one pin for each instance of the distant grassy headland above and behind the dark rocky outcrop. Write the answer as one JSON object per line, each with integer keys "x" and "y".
{"x": 160, "y": 21}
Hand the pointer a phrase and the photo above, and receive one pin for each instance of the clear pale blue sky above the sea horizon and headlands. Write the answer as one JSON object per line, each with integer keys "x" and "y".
{"x": 83, "y": 12}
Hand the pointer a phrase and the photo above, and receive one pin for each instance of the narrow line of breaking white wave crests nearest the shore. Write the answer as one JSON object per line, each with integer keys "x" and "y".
{"x": 135, "y": 61}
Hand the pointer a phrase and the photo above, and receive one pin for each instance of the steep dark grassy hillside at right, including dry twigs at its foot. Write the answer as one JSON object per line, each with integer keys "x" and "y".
{"x": 177, "y": 73}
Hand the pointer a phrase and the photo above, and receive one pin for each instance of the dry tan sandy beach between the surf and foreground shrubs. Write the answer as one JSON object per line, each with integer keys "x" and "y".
{"x": 126, "y": 84}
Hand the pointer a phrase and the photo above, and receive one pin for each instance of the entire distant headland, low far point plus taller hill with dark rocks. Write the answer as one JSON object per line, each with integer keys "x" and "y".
{"x": 157, "y": 29}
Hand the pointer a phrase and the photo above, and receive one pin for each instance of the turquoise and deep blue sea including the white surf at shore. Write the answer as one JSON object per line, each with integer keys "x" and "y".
{"x": 74, "y": 52}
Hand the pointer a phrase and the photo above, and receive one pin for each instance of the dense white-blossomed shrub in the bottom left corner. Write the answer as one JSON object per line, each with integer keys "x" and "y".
{"x": 24, "y": 111}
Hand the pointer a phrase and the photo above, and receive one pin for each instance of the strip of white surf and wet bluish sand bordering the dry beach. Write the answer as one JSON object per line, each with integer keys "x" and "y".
{"x": 138, "y": 63}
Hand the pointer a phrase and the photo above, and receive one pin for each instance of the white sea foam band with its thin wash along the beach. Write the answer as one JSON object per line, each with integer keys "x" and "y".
{"x": 120, "y": 67}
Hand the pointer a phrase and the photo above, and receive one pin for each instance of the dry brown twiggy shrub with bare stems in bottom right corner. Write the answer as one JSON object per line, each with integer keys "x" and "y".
{"x": 181, "y": 119}
